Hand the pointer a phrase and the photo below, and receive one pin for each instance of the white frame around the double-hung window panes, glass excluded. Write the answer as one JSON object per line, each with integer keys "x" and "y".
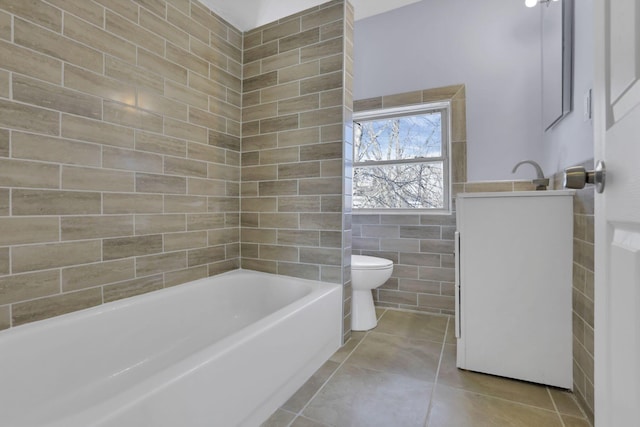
{"x": 445, "y": 157}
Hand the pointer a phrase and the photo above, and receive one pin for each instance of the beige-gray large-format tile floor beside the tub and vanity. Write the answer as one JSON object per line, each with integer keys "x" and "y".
{"x": 403, "y": 374}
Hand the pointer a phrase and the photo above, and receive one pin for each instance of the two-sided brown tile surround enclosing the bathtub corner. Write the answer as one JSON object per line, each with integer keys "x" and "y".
{"x": 121, "y": 127}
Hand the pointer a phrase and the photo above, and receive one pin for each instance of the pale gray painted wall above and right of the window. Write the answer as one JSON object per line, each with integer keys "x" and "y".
{"x": 492, "y": 46}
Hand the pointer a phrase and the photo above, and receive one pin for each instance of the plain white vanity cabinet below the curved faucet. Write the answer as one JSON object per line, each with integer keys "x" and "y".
{"x": 514, "y": 256}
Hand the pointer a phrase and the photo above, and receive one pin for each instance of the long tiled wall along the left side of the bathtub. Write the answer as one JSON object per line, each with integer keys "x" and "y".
{"x": 119, "y": 151}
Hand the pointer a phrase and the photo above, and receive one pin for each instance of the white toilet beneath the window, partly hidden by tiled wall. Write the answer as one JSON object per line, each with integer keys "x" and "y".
{"x": 367, "y": 273}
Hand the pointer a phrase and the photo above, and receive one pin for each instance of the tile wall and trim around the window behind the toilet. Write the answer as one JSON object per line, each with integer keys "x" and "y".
{"x": 420, "y": 246}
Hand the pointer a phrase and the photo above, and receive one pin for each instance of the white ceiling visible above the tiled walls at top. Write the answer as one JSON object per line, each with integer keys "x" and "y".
{"x": 248, "y": 14}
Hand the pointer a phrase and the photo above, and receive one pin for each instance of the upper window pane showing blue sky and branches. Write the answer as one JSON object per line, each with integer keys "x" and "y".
{"x": 397, "y": 138}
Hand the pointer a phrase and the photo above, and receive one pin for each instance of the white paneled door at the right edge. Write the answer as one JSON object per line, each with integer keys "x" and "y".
{"x": 617, "y": 263}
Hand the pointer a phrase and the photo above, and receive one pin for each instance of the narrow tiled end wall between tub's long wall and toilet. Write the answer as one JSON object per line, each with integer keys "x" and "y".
{"x": 294, "y": 108}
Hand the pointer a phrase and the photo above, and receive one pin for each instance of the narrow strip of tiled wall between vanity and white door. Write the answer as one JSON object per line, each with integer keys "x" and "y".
{"x": 583, "y": 293}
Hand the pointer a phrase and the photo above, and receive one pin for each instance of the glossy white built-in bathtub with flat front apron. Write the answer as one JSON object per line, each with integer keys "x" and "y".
{"x": 223, "y": 351}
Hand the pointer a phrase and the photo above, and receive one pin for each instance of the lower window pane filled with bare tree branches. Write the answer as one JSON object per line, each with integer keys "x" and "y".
{"x": 412, "y": 185}
